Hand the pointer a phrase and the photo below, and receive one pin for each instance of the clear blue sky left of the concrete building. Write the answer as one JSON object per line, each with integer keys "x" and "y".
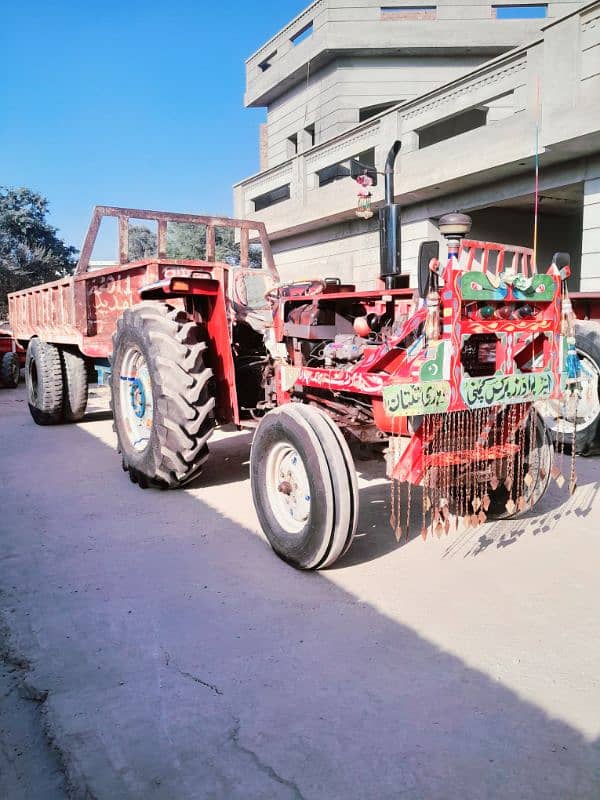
{"x": 130, "y": 103}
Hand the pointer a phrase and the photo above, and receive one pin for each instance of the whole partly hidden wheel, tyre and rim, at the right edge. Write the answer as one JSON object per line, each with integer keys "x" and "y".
{"x": 588, "y": 406}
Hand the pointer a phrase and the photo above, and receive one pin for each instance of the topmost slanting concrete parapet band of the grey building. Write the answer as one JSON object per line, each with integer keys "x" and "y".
{"x": 327, "y": 29}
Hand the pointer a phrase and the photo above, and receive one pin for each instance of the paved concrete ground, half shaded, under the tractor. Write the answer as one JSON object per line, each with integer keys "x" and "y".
{"x": 179, "y": 658}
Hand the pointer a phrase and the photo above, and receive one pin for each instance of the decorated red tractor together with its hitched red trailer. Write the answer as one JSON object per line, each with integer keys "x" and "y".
{"x": 442, "y": 380}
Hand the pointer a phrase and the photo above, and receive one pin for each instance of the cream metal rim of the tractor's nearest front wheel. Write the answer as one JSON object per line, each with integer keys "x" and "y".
{"x": 288, "y": 488}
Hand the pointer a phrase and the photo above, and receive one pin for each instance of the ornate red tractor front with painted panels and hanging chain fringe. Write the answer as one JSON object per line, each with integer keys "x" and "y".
{"x": 495, "y": 343}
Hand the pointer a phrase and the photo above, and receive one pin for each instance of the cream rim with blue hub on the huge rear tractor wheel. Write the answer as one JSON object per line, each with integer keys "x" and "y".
{"x": 135, "y": 395}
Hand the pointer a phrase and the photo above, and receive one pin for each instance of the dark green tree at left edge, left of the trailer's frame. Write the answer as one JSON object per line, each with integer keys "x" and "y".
{"x": 30, "y": 250}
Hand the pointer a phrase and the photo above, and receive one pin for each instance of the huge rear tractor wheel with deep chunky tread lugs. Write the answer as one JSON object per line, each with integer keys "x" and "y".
{"x": 161, "y": 393}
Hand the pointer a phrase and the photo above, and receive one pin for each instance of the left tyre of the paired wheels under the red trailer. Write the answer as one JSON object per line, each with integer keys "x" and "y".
{"x": 44, "y": 381}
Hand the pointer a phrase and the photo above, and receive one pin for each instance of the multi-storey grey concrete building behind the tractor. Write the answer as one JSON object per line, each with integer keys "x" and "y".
{"x": 470, "y": 90}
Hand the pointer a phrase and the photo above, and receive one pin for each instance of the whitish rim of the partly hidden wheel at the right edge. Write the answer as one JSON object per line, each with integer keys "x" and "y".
{"x": 580, "y": 410}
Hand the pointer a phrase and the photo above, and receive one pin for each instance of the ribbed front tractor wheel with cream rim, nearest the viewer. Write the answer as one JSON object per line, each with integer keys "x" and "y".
{"x": 304, "y": 486}
